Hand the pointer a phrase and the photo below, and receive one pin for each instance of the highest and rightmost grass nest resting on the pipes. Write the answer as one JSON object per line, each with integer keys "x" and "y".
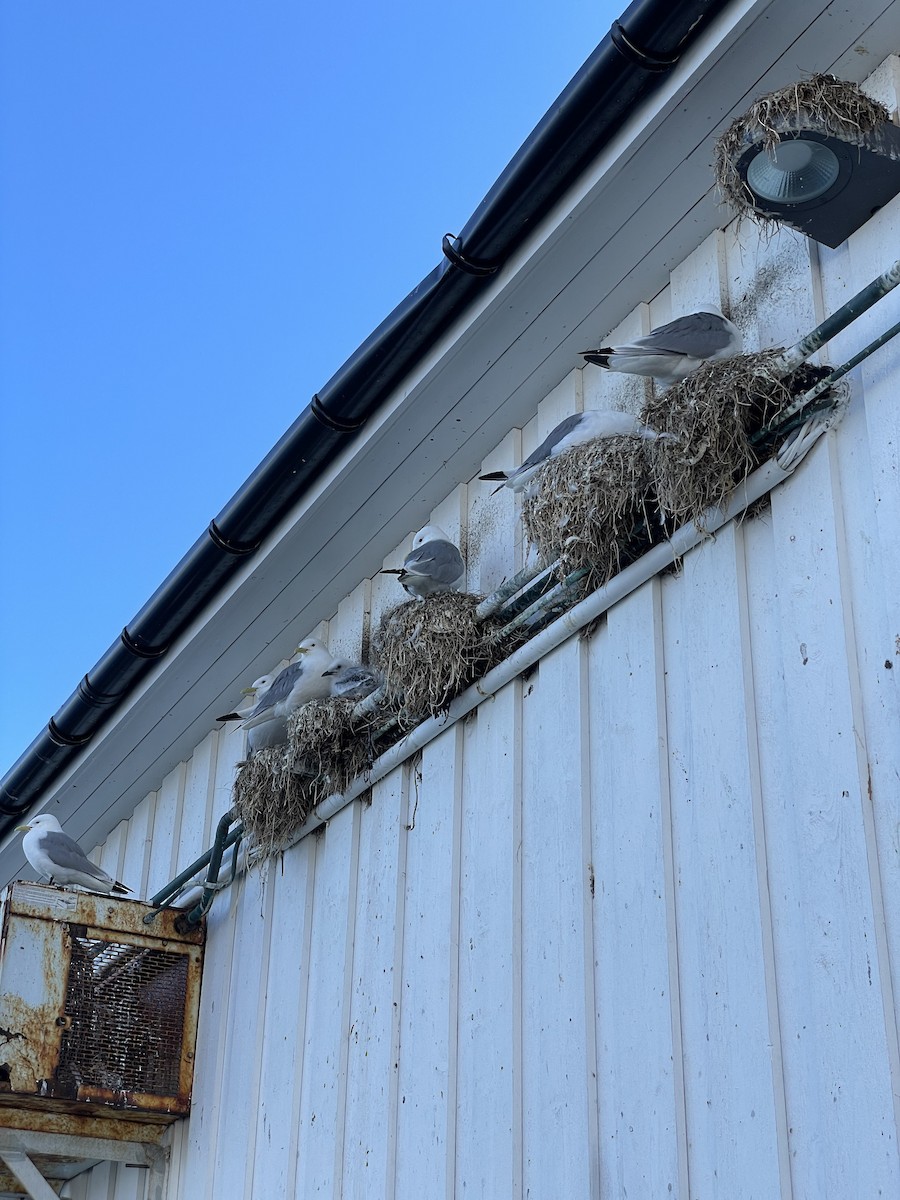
{"x": 712, "y": 416}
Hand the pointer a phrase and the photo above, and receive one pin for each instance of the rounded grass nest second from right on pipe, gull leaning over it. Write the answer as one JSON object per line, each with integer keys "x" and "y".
{"x": 589, "y": 508}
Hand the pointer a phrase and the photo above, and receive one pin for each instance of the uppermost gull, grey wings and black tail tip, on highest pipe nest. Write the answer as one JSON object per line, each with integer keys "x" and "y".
{"x": 675, "y": 351}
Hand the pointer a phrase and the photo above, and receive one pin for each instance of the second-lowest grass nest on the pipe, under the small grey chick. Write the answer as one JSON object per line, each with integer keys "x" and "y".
{"x": 328, "y": 748}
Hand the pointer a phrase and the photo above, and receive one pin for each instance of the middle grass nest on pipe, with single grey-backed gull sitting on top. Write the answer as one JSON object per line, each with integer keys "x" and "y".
{"x": 433, "y": 650}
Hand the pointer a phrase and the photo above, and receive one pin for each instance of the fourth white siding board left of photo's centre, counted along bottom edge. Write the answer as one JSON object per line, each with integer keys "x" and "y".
{"x": 274, "y": 1167}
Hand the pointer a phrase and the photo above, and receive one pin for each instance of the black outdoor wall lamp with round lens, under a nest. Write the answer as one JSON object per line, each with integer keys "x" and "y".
{"x": 826, "y": 187}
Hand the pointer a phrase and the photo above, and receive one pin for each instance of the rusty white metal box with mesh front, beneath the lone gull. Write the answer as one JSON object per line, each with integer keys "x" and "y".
{"x": 98, "y": 1010}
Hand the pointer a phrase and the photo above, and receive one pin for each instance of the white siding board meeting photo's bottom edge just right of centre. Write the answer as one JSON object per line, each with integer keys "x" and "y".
{"x": 487, "y": 1141}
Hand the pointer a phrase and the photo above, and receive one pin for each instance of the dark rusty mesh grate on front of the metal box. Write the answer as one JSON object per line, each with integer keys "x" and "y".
{"x": 127, "y": 1007}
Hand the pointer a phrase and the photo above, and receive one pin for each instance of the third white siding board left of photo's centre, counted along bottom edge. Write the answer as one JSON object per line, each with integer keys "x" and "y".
{"x": 328, "y": 1023}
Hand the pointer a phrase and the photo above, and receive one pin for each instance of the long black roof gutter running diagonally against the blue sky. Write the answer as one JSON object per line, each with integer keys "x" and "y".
{"x": 625, "y": 70}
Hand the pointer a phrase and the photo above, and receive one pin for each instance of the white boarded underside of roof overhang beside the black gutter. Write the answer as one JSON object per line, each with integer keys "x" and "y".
{"x": 611, "y": 243}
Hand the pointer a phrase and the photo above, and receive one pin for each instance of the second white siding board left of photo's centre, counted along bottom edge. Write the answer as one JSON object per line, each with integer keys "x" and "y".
{"x": 371, "y": 1076}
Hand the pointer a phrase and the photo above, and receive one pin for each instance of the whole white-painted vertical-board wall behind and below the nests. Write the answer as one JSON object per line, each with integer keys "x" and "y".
{"x": 633, "y": 927}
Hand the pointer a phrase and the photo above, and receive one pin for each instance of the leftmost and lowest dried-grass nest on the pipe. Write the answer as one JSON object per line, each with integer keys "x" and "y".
{"x": 271, "y": 800}
